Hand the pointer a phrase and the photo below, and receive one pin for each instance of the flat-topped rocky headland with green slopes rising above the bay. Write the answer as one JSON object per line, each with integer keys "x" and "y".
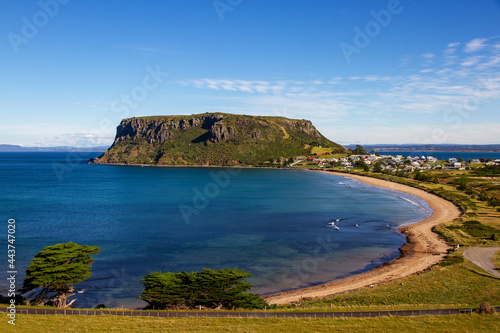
{"x": 212, "y": 139}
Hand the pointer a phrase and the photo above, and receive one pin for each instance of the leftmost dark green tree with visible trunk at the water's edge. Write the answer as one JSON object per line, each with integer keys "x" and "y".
{"x": 54, "y": 271}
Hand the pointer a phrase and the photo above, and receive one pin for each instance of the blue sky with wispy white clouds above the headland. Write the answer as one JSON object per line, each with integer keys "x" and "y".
{"x": 363, "y": 71}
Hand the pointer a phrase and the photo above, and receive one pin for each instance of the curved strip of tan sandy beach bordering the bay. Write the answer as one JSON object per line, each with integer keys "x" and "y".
{"x": 422, "y": 250}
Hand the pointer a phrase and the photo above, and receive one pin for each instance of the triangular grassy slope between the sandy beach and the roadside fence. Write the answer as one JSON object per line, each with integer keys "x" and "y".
{"x": 457, "y": 285}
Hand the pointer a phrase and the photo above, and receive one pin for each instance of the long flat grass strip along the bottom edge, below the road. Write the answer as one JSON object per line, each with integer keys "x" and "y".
{"x": 452, "y": 324}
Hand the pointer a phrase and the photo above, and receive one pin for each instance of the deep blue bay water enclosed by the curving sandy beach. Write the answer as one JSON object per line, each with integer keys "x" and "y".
{"x": 272, "y": 223}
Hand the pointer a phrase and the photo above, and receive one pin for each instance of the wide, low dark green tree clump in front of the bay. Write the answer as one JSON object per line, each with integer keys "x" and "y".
{"x": 224, "y": 288}
